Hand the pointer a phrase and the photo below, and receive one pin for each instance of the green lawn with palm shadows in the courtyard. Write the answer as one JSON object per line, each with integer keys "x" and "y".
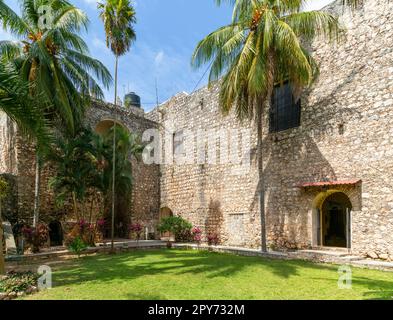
{"x": 181, "y": 274}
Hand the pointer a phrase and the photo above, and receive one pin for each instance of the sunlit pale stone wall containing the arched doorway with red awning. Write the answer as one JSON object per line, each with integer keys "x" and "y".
{"x": 346, "y": 133}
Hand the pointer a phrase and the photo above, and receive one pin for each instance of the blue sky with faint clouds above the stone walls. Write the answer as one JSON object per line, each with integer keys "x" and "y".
{"x": 167, "y": 33}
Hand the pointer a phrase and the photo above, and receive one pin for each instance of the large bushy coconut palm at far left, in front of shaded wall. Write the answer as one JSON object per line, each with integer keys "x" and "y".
{"x": 51, "y": 54}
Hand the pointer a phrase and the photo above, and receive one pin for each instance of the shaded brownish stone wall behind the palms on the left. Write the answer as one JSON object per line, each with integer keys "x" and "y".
{"x": 18, "y": 157}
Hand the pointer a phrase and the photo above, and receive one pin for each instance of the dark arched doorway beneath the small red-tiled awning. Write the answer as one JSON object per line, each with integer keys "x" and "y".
{"x": 334, "y": 221}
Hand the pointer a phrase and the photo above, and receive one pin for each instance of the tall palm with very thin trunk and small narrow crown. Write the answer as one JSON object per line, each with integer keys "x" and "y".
{"x": 119, "y": 18}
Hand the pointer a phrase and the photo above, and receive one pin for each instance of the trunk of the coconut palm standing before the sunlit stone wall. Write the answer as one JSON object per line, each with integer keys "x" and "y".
{"x": 261, "y": 177}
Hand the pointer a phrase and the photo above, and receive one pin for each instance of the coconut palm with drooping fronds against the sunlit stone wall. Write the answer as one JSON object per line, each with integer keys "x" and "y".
{"x": 262, "y": 47}
